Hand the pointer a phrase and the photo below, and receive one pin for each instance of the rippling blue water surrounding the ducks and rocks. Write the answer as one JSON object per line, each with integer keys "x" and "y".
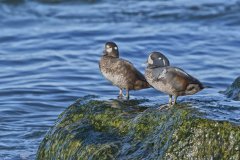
{"x": 49, "y": 53}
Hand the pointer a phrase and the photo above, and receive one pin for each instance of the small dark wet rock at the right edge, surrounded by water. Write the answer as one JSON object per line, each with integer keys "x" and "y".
{"x": 233, "y": 91}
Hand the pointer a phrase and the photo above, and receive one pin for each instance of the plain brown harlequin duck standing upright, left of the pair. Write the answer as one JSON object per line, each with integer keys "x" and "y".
{"x": 120, "y": 72}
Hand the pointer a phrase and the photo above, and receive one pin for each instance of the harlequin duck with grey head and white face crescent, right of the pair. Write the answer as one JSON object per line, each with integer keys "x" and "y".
{"x": 171, "y": 80}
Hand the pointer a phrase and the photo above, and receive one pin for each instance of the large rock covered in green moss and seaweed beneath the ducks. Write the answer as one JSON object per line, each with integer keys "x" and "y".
{"x": 92, "y": 129}
